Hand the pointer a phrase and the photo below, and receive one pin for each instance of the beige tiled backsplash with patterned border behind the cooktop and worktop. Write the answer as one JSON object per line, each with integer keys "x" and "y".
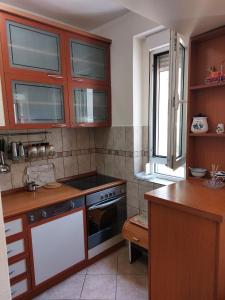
{"x": 110, "y": 151}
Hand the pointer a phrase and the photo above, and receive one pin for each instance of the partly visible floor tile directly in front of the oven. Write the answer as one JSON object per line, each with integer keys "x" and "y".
{"x": 106, "y": 266}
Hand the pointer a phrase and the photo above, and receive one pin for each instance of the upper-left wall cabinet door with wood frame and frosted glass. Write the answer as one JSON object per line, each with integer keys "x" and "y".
{"x": 32, "y": 47}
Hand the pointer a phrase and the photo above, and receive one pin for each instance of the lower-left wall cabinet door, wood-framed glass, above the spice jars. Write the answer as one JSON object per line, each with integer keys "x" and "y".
{"x": 37, "y": 104}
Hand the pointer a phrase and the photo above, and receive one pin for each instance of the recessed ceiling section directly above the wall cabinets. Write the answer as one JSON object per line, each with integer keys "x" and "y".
{"x": 86, "y": 14}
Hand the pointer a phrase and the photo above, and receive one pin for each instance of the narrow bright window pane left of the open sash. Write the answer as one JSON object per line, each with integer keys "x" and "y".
{"x": 160, "y": 104}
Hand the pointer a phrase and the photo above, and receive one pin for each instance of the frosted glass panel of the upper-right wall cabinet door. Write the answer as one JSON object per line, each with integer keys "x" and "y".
{"x": 87, "y": 60}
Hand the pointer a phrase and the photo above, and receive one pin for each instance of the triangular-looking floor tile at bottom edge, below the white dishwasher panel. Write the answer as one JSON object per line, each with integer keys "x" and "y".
{"x": 69, "y": 289}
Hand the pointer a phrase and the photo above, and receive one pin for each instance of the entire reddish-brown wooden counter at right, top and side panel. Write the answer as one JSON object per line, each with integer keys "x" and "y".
{"x": 186, "y": 242}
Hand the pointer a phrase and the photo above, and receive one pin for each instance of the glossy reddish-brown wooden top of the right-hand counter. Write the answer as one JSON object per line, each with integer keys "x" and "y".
{"x": 191, "y": 196}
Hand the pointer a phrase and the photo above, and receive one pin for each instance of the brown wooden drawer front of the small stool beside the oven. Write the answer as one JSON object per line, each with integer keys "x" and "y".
{"x": 136, "y": 234}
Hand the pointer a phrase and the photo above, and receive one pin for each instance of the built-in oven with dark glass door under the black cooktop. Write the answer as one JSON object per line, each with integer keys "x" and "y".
{"x": 106, "y": 214}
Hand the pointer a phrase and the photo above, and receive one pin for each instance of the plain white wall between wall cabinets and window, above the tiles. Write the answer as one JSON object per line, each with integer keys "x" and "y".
{"x": 122, "y": 31}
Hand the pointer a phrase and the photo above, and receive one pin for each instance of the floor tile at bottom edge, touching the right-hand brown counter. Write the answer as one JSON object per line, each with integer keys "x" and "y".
{"x": 99, "y": 287}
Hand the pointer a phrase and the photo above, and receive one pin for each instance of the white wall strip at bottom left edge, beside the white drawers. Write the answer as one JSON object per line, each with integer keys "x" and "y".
{"x": 4, "y": 277}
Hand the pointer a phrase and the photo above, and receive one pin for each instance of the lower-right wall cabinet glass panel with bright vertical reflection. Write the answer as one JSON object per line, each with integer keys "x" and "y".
{"x": 90, "y": 105}
